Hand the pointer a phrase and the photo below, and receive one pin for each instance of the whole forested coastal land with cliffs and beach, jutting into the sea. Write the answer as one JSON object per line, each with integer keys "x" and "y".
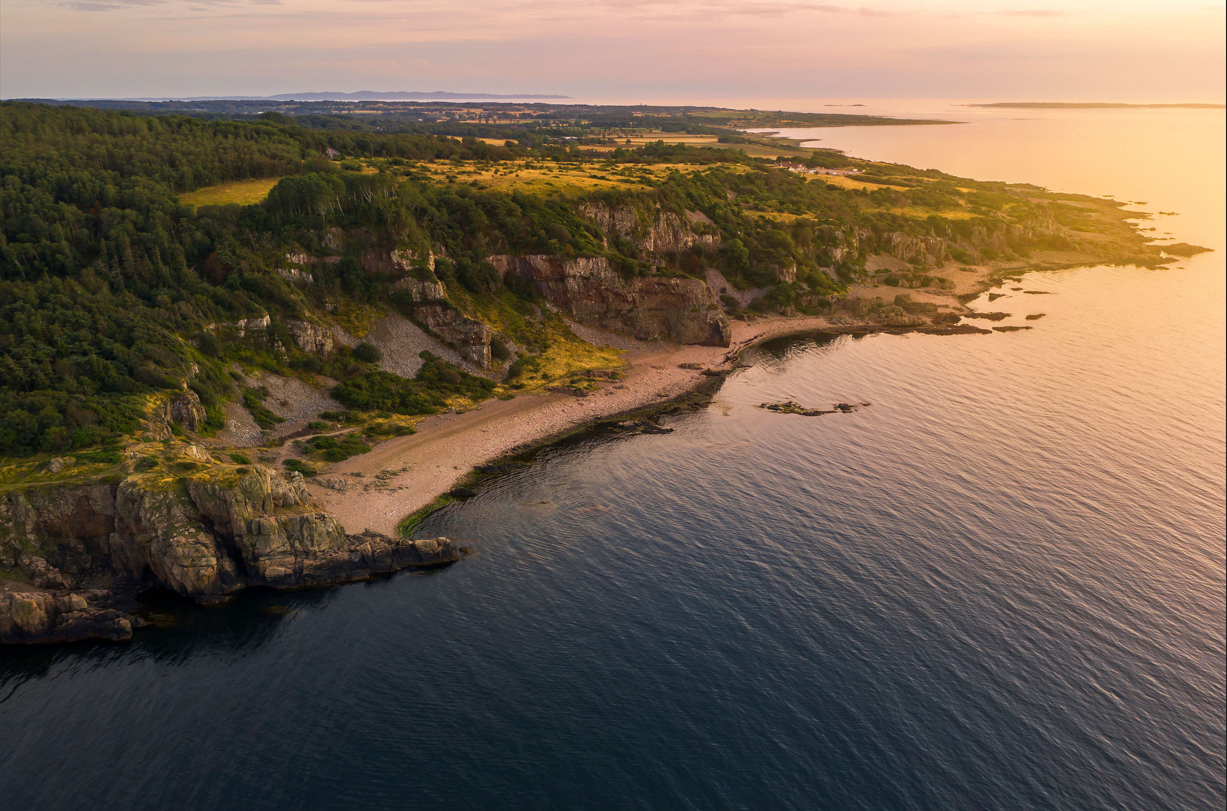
{"x": 245, "y": 350}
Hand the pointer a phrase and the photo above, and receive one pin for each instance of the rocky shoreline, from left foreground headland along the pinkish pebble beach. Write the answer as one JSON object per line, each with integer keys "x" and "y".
{"x": 74, "y": 558}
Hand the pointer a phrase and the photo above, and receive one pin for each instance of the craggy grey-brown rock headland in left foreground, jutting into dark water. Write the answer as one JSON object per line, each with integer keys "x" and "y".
{"x": 79, "y": 550}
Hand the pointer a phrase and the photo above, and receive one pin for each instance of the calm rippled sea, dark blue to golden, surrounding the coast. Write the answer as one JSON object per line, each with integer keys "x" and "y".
{"x": 1002, "y": 586}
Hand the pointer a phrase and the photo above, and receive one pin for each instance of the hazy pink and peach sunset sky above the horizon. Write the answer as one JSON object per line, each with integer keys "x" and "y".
{"x": 628, "y": 51}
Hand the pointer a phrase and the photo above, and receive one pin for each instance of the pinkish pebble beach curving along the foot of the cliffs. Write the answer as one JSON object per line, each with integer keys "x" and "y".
{"x": 406, "y": 478}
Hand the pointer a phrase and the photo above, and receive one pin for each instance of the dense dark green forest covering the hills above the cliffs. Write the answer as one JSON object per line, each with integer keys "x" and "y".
{"x": 112, "y": 290}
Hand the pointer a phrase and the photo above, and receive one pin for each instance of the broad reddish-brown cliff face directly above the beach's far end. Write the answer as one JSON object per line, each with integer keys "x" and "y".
{"x": 674, "y": 309}
